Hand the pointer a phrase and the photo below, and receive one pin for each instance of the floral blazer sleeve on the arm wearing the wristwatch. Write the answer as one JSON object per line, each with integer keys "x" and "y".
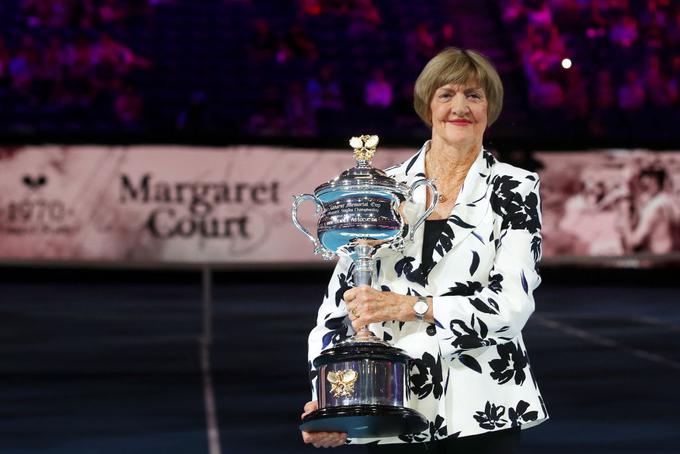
{"x": 496, "y": 313}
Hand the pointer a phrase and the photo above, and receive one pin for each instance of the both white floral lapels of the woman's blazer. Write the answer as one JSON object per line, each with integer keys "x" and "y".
{"x": 471, "y": 206}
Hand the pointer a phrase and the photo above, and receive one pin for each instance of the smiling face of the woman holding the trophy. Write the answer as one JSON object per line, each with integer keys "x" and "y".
{"x": 459, "y": 114}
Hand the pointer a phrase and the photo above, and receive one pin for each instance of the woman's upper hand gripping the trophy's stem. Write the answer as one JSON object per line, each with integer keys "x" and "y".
{"x": 367, "y": 305}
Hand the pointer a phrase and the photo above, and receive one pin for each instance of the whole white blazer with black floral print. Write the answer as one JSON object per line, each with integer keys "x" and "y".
{"x": 471, "y": 372}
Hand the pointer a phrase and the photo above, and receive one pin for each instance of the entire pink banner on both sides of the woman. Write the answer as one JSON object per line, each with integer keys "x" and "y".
{"x": 192, "y": 205}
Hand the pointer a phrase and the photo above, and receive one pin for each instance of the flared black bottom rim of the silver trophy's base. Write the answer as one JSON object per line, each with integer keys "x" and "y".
{"x": 365, "y": 421}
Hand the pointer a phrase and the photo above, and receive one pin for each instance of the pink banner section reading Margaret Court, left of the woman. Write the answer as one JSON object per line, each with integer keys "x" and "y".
{"x": 163, "y": 204}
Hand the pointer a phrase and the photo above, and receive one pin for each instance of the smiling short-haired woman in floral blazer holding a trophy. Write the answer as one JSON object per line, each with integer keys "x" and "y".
{"x": 457, "y": 299}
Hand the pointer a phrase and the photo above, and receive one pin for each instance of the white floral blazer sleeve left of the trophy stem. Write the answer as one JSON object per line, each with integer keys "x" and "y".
{"x": 332, "y": 323}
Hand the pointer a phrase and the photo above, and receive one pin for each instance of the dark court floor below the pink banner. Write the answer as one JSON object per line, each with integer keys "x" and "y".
{"x": 114, "y": 367}
